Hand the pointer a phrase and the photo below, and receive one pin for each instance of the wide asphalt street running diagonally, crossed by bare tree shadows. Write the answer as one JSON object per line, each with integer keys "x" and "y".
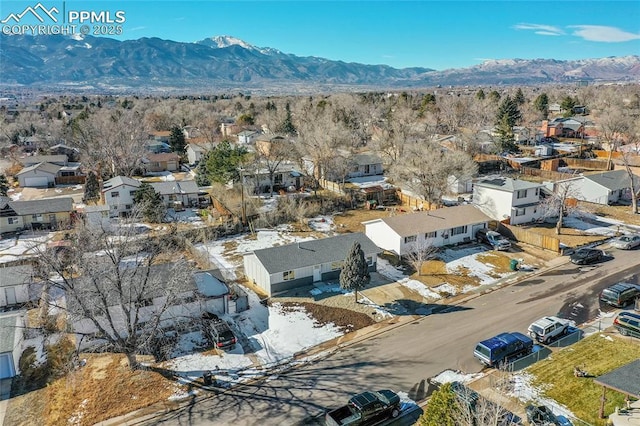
{"x": 403, "y": 358}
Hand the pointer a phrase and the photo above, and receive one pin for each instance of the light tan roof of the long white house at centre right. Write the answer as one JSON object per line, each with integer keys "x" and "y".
{"x": 434, "y": 220}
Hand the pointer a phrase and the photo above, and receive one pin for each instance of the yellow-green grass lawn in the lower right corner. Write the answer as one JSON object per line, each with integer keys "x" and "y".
{"x": 598, "y": 354}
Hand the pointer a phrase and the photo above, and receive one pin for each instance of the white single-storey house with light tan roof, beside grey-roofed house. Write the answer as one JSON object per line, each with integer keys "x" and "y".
{"x": 407, "y": 233}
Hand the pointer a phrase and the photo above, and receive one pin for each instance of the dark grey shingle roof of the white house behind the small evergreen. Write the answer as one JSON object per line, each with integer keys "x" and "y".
{"x": 314, "y": 252}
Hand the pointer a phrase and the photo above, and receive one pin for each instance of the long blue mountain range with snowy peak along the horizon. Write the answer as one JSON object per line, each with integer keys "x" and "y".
{"x": 227, "y": 63}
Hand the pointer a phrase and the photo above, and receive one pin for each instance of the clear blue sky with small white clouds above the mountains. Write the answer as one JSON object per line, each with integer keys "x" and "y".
{"x": 431, "y": 34}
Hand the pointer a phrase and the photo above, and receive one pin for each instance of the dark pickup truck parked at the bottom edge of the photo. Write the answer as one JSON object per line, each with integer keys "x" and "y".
{"x": 366, "y": 408}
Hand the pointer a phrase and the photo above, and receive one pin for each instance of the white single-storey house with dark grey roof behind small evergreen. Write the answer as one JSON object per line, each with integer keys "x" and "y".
{"x": 281, "y": 268}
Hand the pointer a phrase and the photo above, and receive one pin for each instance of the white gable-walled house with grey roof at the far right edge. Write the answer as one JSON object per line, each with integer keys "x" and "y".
{"x": 603, "y": 188}
